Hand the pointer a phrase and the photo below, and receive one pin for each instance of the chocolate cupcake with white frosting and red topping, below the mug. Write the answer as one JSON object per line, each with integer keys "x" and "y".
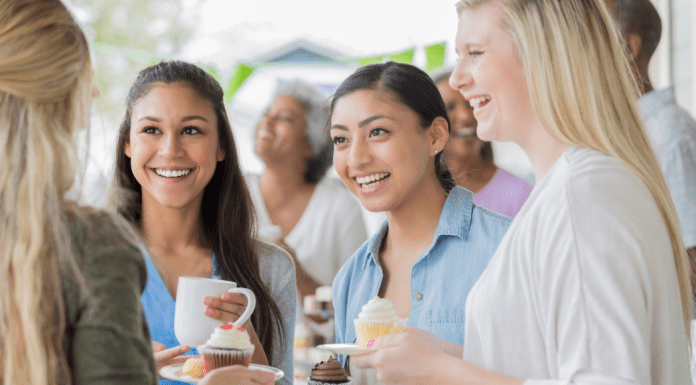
{"x": 228, "y": 345}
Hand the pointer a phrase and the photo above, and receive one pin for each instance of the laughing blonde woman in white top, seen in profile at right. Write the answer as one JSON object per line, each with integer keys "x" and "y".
{"x": 591, "y": 282}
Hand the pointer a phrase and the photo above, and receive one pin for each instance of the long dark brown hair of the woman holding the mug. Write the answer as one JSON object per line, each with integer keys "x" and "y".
{"x": 227, "y": 214}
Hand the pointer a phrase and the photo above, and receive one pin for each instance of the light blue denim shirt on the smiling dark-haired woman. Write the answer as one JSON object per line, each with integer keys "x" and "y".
{"x": 465, "y": 240}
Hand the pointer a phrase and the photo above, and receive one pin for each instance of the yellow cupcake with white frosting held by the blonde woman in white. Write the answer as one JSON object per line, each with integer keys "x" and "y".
{"x": 377, "y": 317}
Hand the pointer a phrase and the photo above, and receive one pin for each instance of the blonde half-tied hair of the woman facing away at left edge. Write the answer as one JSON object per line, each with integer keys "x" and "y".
{"x": 45, "y": 94}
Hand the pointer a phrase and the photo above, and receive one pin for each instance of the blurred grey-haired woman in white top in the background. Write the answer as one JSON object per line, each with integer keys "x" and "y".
{"x": 317, "y": 218}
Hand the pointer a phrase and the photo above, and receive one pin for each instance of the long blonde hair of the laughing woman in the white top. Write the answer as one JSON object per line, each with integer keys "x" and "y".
{"x": 582, "y": 90}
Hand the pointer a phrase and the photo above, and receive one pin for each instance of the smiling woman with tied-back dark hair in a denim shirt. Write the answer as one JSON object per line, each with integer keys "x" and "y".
{"x": 389, "y": 125}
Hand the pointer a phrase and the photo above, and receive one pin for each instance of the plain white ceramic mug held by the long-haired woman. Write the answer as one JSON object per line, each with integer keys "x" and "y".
{"x": 191, "y": 326}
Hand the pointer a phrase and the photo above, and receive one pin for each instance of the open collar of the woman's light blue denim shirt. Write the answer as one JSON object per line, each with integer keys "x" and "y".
{"x": 455, "y": 220}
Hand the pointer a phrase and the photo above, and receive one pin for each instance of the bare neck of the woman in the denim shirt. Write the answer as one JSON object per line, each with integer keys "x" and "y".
{"x": 414, "y": 224}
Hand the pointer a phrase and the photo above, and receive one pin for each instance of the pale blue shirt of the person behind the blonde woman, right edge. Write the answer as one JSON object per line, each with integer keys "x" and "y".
{"x": 672, "y": 133}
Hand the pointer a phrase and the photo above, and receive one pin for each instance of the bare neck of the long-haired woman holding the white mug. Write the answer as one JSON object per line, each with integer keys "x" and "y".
{"x": 167, "y": 229}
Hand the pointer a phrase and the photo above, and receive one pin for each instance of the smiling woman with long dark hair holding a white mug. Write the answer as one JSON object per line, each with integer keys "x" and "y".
{"x": 179, "y": 182}
